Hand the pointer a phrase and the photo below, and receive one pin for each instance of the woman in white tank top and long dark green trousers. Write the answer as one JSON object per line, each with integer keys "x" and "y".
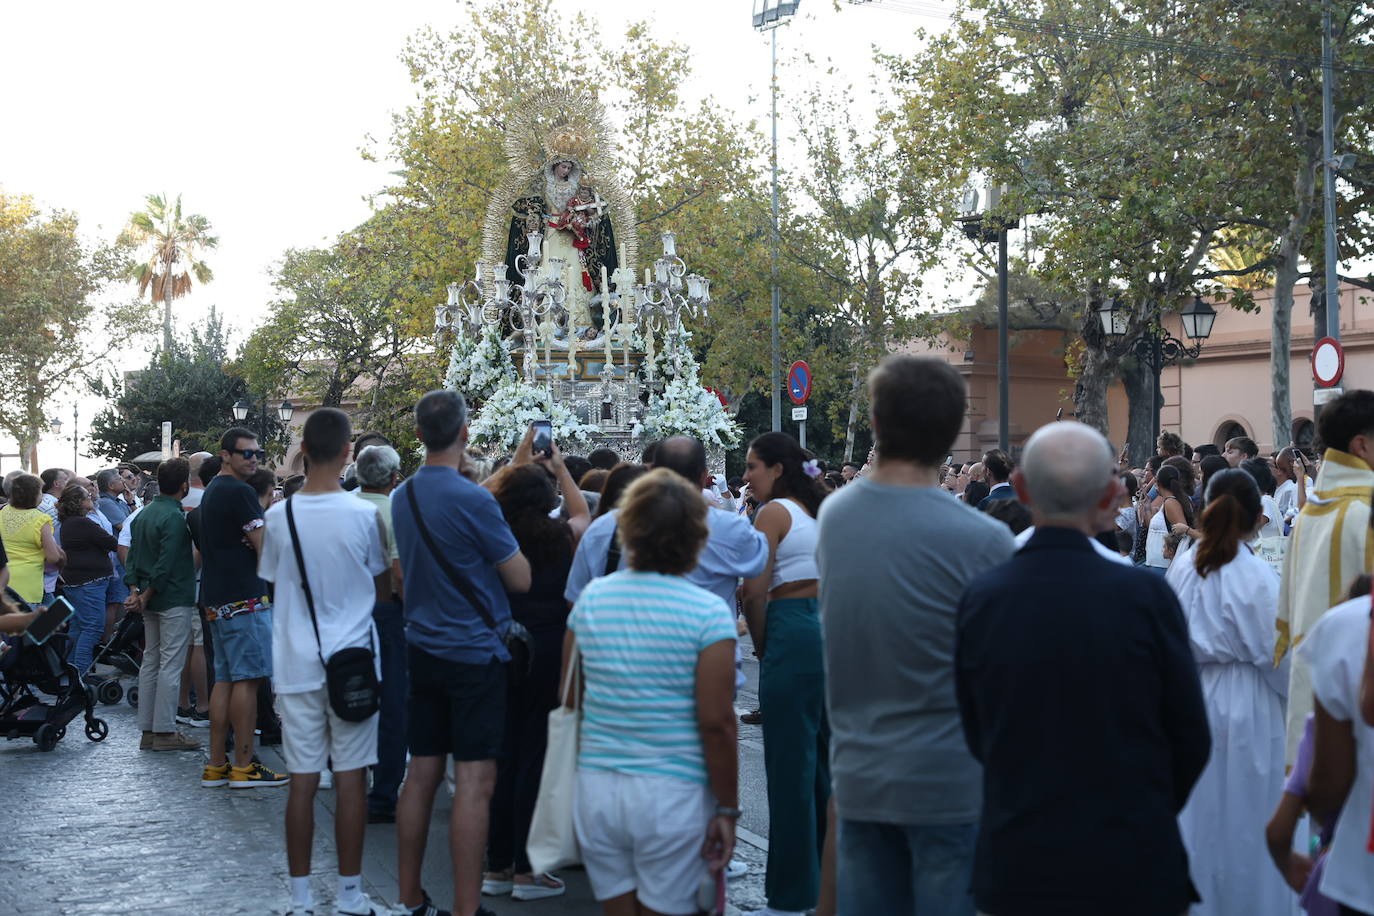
{"x": 782, "y": 615}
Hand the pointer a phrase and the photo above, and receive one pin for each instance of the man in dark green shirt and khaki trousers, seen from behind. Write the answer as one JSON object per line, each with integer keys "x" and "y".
{"x": 161, "y": 577}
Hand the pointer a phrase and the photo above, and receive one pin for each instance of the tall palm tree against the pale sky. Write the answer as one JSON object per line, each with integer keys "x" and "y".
{"x": 171, "y": 247}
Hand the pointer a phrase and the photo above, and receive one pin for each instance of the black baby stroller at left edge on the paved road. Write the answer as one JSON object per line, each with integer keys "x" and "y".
{"x": 25, "y": 671}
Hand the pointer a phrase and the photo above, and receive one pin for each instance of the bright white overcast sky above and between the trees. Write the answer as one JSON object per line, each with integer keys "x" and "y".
{"x": 255, "y": 112}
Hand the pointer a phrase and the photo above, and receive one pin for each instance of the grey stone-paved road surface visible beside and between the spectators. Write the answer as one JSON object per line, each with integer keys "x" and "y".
{"x": 94, "y": 830}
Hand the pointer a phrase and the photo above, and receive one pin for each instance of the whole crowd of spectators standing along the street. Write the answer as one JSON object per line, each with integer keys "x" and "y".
{"x": 1034, "y": 685}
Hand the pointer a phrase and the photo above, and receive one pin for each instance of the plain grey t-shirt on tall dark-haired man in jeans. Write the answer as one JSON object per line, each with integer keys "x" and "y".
{"x": 894, "y": 562}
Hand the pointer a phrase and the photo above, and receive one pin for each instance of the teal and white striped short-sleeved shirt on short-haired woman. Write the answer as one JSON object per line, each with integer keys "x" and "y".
{"x": 640, "y": 635}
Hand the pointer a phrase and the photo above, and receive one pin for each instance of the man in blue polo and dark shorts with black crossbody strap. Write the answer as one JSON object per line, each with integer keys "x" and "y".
{"x": 457, "y": 663}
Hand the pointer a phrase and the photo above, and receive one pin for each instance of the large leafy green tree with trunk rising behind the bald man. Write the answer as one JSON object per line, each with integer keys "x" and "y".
{"x": 1138, "y": 159}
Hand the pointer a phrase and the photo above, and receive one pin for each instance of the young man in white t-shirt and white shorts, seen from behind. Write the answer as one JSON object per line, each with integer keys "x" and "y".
{"x": 346, "y": 565}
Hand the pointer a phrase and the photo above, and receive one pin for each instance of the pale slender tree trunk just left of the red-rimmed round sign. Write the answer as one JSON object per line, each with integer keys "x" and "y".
{"x": 1285, "y": 278}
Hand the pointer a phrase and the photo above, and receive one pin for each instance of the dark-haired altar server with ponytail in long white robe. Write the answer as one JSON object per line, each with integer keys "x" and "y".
{"x": 1230, "y": 601}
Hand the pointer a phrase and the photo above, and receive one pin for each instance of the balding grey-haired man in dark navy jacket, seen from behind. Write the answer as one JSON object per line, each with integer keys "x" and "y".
{"x": 1079, "y": 696}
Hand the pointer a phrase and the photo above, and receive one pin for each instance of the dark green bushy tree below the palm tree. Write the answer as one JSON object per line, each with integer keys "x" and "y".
{"x": 186, "y": 385}
